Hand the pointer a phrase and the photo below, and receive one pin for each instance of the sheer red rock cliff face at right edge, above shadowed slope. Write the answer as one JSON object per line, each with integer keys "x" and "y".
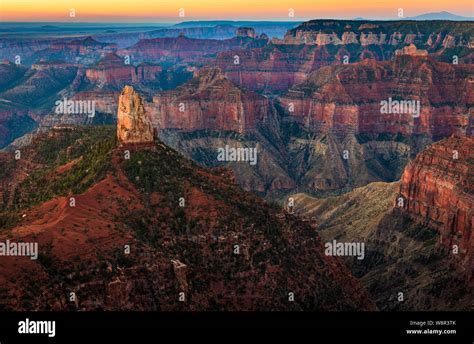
{"x": 438, "y": 187}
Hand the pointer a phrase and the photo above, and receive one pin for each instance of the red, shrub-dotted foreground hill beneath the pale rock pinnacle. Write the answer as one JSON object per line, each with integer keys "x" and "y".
{"x": 180, "y": 221}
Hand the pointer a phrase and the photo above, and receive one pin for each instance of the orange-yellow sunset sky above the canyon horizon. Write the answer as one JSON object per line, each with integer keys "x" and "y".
{"x": 170, "y": 10}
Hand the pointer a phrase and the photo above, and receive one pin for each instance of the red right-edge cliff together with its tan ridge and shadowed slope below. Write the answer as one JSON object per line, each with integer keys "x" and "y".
{"x": 406, "y": 251}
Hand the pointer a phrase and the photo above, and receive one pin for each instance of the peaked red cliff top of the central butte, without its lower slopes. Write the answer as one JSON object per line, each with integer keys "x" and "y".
{"x": 209, "y": 101}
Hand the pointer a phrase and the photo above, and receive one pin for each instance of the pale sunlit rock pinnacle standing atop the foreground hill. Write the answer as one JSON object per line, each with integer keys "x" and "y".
{"x": 133, "y": 124}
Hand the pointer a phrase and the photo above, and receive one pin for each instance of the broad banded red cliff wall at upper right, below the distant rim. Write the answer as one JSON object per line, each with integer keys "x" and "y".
{"x": 348, "y": 97}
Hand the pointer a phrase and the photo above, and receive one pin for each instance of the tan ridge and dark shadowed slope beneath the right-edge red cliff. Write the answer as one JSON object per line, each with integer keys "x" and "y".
{"x": 404, "y": 254}
